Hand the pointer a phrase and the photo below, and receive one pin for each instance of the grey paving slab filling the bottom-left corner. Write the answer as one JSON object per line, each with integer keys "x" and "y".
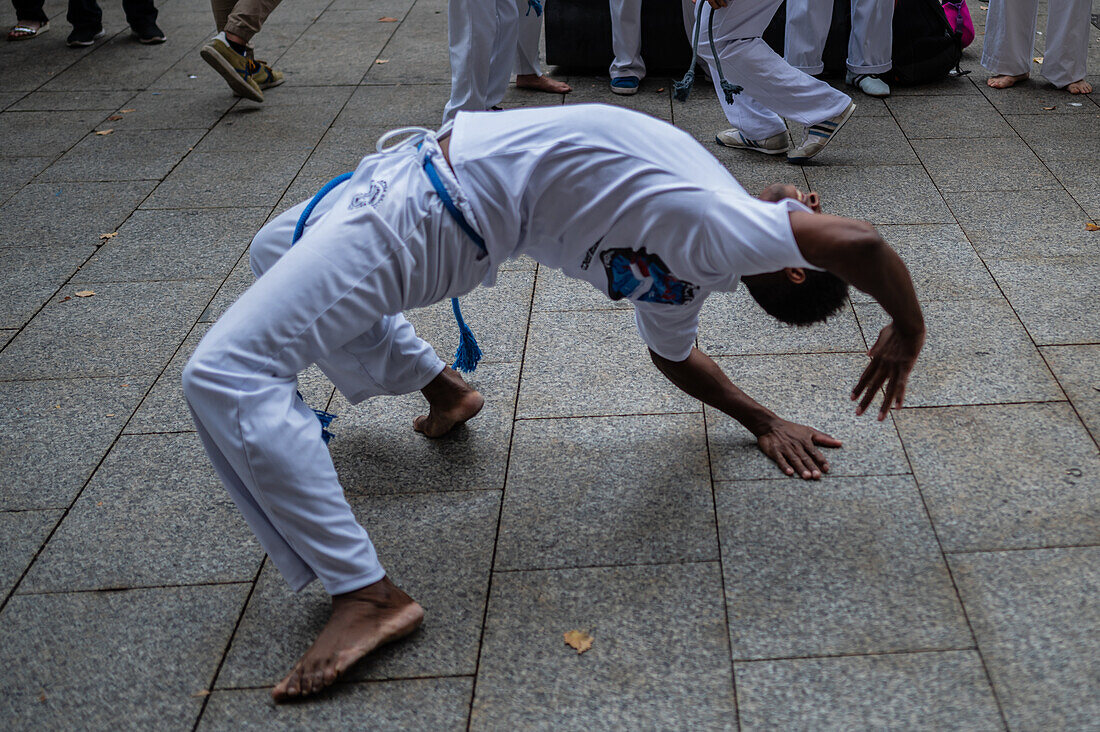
{"x": 96, "y": 660}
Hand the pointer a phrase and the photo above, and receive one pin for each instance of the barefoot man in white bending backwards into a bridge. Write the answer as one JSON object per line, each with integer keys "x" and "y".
{"x": 620, "y": 200}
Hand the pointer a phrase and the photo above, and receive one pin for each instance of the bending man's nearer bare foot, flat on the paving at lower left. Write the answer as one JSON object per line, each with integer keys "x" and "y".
{"x": 361, "y": 622}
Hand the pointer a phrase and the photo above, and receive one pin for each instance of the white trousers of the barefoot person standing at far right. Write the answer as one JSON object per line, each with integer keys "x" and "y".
{"x": 1010, "y": 39}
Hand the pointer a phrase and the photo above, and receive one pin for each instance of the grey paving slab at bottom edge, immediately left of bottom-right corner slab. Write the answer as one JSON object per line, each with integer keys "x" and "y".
{"x": 904, "y": 692}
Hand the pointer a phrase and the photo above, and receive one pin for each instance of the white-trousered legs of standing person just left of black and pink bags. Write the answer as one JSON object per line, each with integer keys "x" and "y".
{"x": 871, "y": 43}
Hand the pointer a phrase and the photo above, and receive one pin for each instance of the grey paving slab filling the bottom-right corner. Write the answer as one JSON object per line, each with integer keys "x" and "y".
{"x": 1038, "y": 624}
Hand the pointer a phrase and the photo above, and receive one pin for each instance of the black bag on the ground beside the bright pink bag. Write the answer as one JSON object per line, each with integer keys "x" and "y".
{"x": 926, "y": 47}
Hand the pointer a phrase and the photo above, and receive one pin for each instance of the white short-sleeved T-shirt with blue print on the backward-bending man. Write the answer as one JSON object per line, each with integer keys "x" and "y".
{"x": 625, "y": 202}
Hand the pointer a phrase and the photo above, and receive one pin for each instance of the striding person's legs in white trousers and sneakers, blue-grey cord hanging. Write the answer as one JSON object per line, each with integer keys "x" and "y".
{"x": 773, "y": 89}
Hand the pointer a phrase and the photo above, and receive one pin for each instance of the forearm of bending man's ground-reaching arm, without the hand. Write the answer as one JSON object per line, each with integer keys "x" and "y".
{"x": 701, "y": 378}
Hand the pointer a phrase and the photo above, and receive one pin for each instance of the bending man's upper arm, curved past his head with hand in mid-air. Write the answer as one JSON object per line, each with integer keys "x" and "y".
{"x": 855, "y": 253}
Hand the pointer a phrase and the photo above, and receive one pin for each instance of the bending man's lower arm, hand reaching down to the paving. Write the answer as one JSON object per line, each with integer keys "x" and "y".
{"x": 793, "y": 446}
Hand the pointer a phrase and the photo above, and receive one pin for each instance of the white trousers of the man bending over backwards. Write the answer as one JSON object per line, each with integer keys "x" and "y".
{"x": 377, "y": 245}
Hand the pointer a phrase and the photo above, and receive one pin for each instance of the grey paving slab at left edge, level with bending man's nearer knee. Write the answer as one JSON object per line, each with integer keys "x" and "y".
{"x": 83, "y": 417}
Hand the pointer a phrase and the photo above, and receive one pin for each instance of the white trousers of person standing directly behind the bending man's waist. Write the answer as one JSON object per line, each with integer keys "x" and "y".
{"x": 482, "y": 38}
